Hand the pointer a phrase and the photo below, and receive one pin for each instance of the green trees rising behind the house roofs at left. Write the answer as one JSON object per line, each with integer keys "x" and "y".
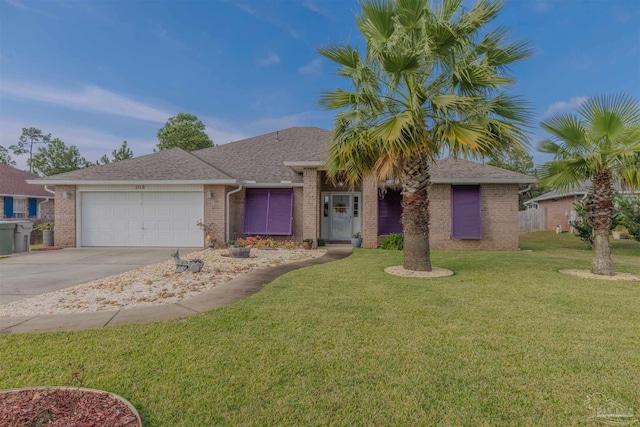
{"x": 53, "y": 156}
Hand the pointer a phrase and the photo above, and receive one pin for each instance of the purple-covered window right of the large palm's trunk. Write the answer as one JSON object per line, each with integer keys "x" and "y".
{"x": 466, "y": 212}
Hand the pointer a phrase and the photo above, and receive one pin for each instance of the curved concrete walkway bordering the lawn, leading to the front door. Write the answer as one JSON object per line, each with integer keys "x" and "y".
{"x": 235, "y": 290}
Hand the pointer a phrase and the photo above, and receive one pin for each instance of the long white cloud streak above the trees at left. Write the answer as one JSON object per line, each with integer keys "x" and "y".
{"x": 89, "y": 97}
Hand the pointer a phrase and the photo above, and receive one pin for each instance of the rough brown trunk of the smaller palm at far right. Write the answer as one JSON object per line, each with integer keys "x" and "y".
{"x": 600, "y": 214}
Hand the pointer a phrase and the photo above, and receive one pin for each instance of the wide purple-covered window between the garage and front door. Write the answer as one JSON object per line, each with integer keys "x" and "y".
{"x": 268, "y": 211}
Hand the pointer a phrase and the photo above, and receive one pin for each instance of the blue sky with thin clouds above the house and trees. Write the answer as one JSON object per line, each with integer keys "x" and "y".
{"x": 94, "y": 73}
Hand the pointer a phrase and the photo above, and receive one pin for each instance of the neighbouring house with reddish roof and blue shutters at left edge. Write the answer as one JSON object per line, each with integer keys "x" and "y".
{"x": 19, "y": 199}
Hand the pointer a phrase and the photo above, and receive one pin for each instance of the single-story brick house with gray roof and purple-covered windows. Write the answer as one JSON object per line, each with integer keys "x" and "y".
{"x": 273, "y": 184}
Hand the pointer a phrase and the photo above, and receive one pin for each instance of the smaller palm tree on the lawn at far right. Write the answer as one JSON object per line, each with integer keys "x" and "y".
{"x": 602, "y": 145}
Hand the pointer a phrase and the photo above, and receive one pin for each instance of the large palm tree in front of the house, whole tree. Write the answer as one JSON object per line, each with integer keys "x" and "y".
{"x": 427, "y": 84}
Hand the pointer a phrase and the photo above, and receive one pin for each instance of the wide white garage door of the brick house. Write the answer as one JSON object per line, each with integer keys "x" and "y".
{"x": 141, "y": 219}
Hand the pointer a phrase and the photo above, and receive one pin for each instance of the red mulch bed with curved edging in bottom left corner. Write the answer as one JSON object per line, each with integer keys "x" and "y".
{"x": 68, "y": 407}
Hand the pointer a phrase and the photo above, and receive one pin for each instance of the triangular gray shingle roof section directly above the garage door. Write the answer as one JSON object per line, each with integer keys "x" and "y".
{"x": 169, "y": 165}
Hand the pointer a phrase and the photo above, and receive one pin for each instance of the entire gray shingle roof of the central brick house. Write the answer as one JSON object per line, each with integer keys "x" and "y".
{"x": 262, "y": 159}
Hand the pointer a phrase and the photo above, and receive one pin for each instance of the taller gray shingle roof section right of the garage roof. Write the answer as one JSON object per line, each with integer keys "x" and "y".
{"x": 262, "y": 158}
